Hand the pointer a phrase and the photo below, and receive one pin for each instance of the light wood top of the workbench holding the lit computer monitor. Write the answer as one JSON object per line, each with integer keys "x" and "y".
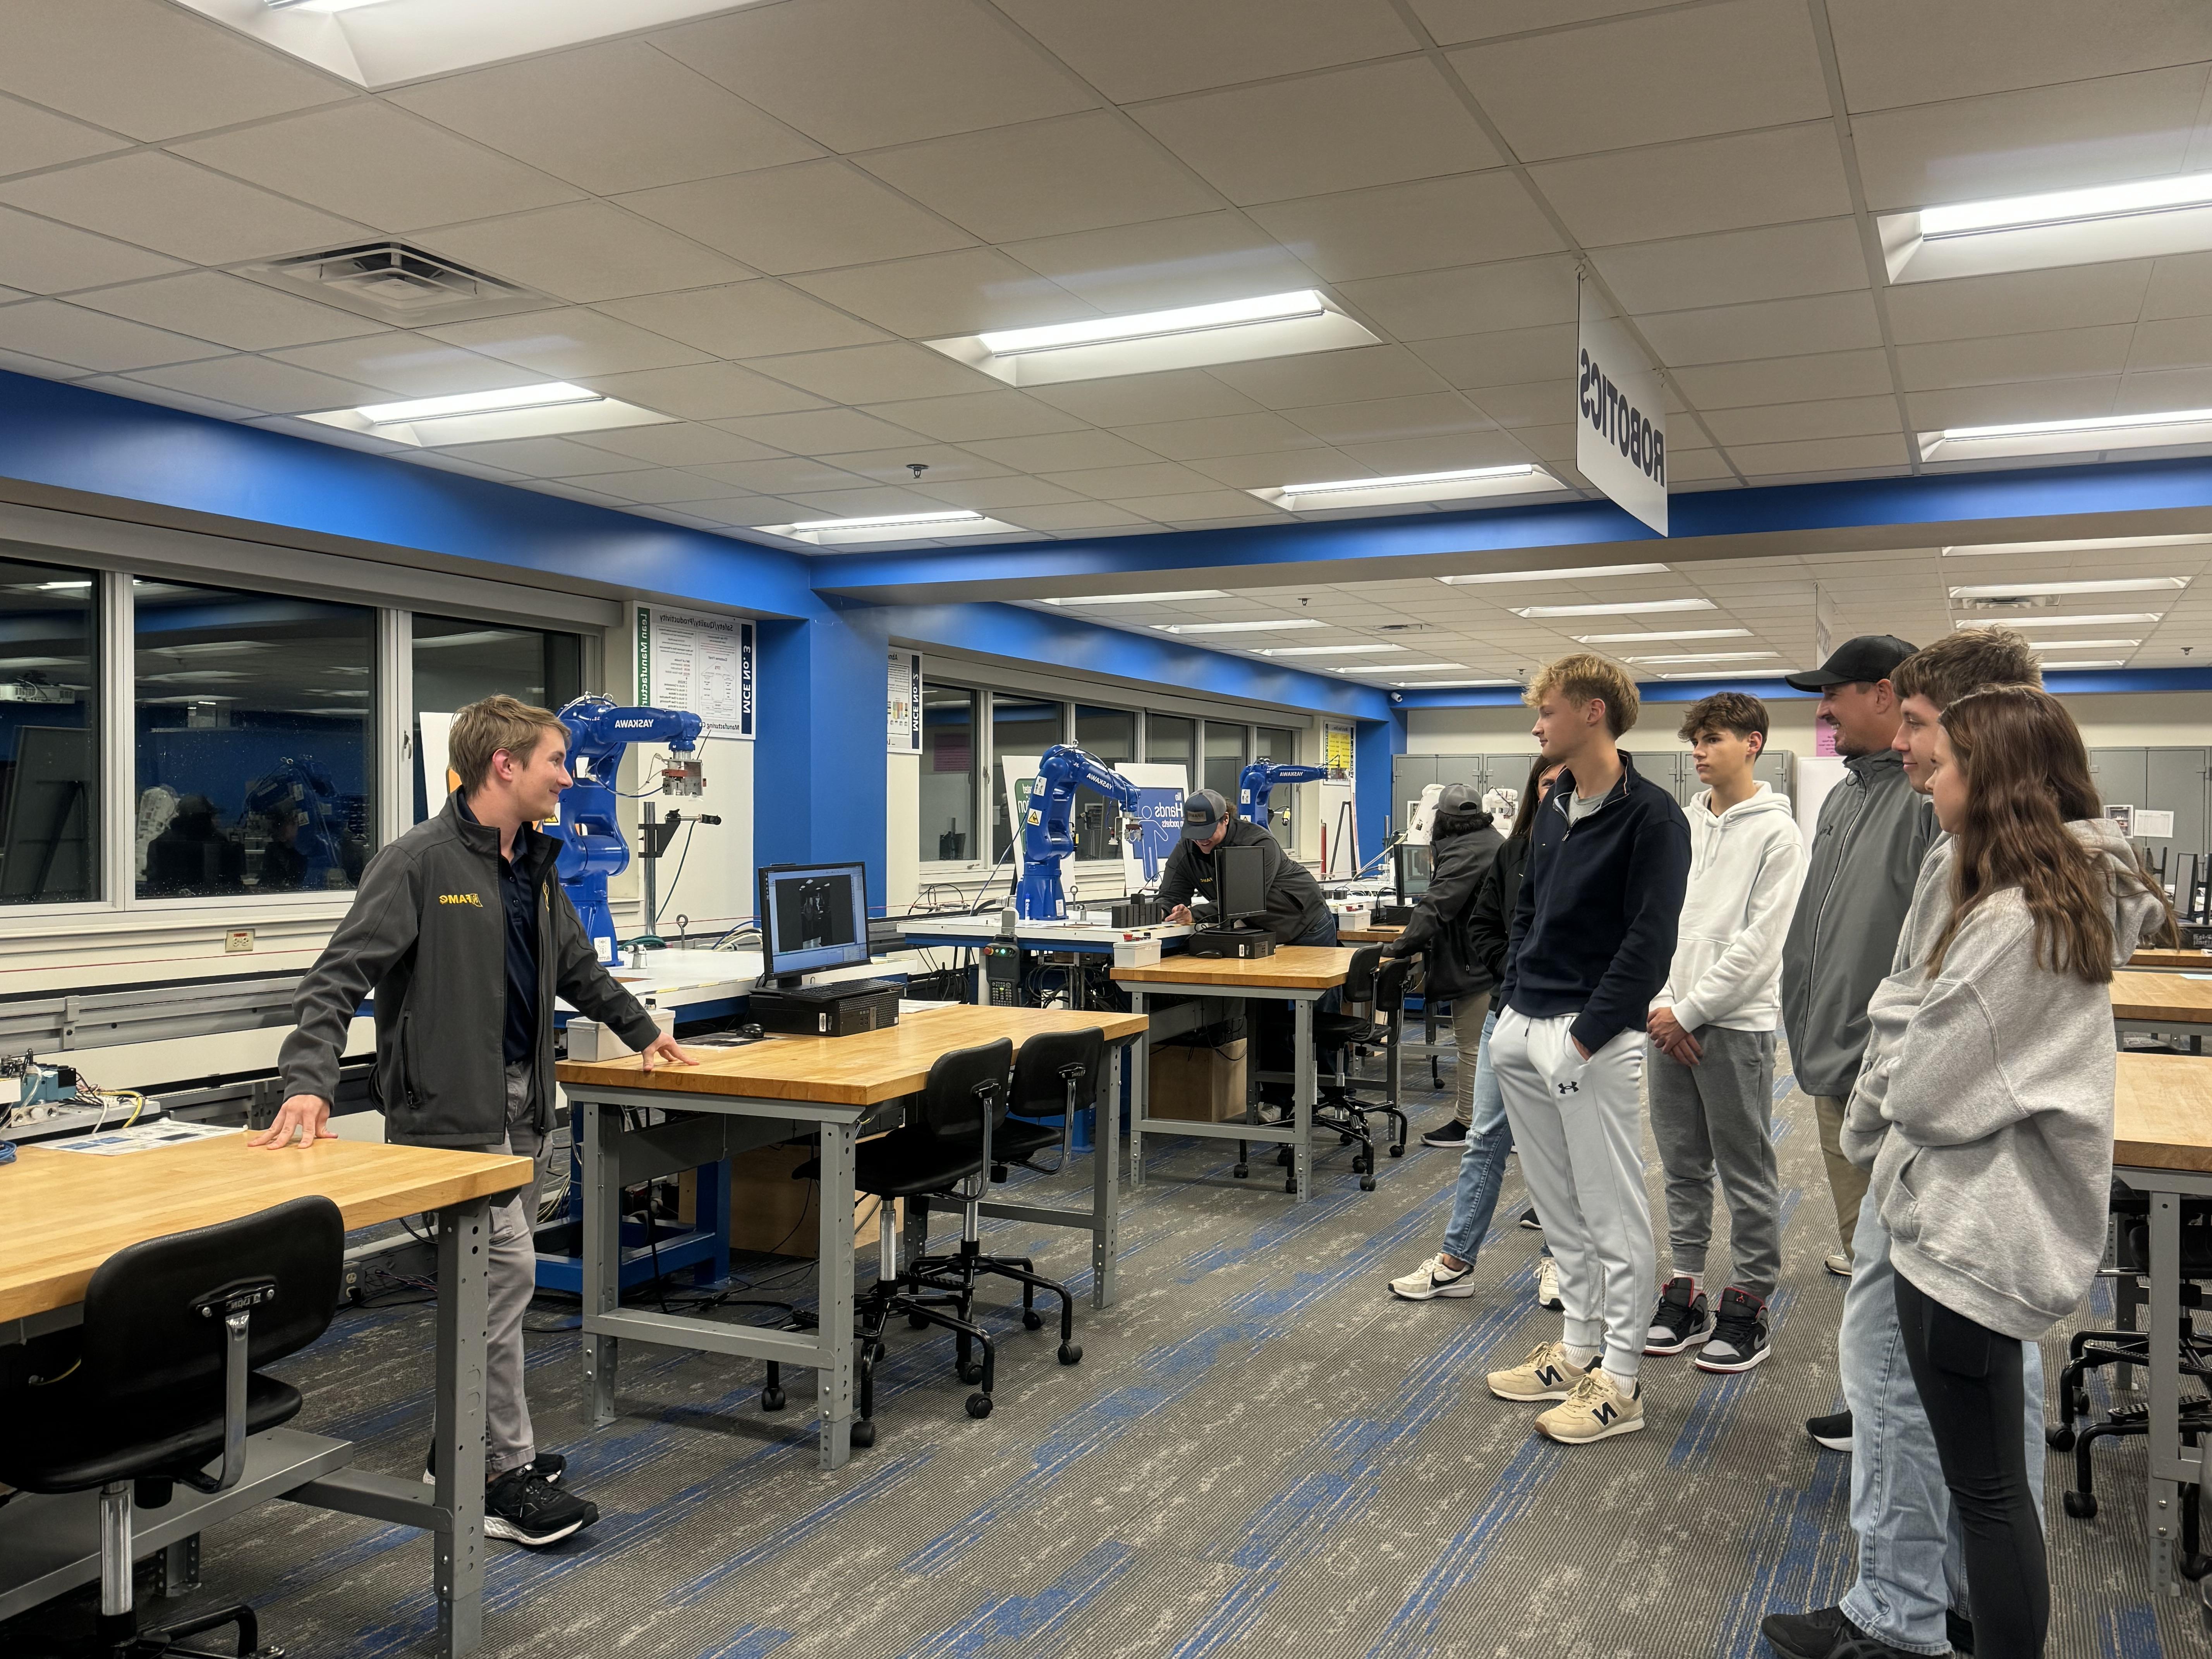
{"x": 846, "y": 1072}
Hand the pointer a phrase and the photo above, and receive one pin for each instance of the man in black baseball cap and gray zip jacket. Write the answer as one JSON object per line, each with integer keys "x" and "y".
{"x": 1859, "y": 886}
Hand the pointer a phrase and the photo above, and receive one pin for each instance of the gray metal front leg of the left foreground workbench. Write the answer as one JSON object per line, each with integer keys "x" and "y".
{"x": 459, "y": 1423}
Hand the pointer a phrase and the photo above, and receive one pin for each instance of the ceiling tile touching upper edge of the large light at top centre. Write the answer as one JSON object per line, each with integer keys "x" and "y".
{"x": 1173, "y": 262}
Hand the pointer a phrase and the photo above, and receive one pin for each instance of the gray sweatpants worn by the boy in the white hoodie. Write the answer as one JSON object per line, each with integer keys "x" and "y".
{"x": 1718, "y": 1116}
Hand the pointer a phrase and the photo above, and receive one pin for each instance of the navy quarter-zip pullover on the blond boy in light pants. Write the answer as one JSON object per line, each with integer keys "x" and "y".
{"x": 1596, "y": 917}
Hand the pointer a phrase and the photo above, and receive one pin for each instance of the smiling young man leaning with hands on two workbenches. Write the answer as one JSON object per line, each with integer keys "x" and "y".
{"x": 466, "y": 937}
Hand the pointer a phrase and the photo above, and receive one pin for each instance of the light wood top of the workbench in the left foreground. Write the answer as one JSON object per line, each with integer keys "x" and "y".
{"x": 65, "y": 1213}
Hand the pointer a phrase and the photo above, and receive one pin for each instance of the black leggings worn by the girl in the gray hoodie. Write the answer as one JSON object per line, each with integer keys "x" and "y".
{"x": 1970, "y": 1386}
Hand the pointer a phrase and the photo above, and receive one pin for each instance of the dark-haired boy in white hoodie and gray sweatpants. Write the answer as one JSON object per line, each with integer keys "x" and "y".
{"x": 1713, "y": 1025}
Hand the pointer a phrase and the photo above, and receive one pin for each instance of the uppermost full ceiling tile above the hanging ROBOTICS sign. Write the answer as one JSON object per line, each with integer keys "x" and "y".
{"x": 1645, "y": 81}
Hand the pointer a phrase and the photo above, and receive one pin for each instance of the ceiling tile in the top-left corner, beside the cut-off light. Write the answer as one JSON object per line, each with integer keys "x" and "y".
{"x": 152, "y": 70}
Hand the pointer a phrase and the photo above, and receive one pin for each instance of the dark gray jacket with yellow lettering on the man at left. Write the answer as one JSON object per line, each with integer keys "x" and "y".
{"x": 430, "y": 935}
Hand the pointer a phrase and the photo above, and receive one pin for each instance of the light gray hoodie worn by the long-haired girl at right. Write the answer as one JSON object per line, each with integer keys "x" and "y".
{"x": 1985, "y": 1105}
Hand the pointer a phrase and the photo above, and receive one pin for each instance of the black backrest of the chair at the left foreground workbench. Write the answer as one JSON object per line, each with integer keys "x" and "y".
{"x": 152, "y": 1348}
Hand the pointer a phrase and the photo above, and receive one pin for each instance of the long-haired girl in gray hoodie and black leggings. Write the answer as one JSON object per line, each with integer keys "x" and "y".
{"x": 1990, "y": 1094}
